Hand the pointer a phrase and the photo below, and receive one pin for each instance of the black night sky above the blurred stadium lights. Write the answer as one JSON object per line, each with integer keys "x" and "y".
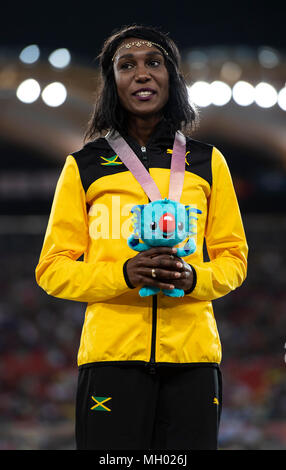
{"x": 84, "y": 26}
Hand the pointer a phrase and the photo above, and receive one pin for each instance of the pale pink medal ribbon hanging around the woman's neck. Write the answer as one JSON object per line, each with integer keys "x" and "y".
{"x": 136, "y": 167}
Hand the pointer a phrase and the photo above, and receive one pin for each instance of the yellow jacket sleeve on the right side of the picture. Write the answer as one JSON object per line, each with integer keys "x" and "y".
{"x": 225, "y": 238}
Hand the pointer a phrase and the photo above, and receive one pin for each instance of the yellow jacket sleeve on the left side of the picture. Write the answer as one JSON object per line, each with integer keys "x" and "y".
{"x": 67, "y": 236}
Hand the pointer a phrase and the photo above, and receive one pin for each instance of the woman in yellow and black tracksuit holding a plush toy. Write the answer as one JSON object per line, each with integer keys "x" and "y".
{"x": 149, "y": 373}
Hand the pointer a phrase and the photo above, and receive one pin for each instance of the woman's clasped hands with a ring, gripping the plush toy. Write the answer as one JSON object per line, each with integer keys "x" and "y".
{"x": 170, "y": 271}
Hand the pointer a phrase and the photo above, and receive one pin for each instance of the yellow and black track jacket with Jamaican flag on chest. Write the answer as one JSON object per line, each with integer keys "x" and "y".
{"x": 90, "y": 216}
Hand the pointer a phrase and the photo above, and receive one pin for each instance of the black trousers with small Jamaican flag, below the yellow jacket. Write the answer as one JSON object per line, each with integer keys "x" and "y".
{"x": 127, "y": 407}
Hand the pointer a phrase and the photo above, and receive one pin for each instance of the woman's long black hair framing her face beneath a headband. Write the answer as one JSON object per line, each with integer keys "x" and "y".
{"x": 108, "y": 112}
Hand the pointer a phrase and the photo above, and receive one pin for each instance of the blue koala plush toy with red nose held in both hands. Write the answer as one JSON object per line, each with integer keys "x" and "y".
{"x": 163, "y": 223}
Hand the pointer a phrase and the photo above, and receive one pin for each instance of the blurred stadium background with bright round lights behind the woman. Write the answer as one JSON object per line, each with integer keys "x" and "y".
{"x": 43, "y": 120}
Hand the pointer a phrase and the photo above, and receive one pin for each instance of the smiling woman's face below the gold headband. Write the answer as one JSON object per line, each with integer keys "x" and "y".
{"x": 142, "y": 79}
